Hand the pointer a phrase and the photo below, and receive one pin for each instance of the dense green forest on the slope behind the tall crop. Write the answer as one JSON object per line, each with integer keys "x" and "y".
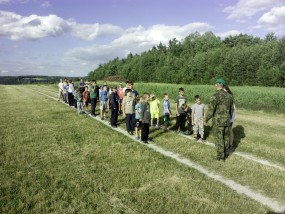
{"x": 201, "y": 58}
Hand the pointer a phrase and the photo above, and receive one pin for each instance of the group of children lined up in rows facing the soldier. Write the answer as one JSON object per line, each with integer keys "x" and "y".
{"x": 140, "y": 112}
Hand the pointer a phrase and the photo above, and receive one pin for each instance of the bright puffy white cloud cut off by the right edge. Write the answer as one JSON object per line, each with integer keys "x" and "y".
{"x": 273, "y": 20}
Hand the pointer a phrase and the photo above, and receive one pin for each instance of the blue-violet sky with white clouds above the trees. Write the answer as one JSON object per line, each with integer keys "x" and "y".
{"x": 73, "y": 37}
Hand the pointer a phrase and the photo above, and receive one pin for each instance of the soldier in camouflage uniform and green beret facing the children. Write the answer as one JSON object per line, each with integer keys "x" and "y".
{"x": 220, "y": 109}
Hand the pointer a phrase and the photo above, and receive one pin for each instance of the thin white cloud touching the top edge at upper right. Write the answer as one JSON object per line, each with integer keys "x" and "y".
{"x": 248, "y": 8}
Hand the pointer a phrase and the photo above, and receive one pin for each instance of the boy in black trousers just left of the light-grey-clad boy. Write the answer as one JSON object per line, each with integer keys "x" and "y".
{"x": 180, "y": 113}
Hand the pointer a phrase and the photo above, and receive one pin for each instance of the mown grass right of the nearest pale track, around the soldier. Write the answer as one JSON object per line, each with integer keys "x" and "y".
{"x": 257, "y": 133}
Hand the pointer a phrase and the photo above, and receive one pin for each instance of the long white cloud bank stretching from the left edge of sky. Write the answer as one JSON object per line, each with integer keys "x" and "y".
{"x": 33, "y": 27}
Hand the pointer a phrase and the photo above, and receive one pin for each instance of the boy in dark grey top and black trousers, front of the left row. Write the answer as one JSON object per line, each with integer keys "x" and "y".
{"x": 145, "y": 118}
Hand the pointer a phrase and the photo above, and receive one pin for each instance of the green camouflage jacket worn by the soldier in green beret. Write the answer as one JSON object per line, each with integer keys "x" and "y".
{"x": 220, "y": 108}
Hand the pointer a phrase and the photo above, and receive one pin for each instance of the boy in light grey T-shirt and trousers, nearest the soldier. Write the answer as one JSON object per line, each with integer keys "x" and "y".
{"x": 198, "y": 117}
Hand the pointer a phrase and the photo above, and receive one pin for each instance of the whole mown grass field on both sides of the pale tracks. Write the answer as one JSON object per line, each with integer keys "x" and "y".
{"x": 54, "y": 160}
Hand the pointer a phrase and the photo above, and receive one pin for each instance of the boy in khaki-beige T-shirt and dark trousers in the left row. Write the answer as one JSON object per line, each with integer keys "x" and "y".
{"x": 129, "y": 111}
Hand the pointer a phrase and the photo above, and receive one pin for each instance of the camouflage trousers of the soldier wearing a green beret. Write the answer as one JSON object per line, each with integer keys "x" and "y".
{"x": 221, "y": 140}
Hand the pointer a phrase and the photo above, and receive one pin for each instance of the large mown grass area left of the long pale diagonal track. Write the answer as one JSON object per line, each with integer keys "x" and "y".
{"x": 53, "y": 160}
